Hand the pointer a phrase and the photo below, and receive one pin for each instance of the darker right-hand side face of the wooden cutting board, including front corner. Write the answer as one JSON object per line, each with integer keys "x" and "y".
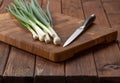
{"x": 61, "y": 56}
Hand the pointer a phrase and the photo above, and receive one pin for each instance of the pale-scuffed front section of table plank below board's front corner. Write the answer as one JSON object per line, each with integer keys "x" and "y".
{"x": 49, "y": 72}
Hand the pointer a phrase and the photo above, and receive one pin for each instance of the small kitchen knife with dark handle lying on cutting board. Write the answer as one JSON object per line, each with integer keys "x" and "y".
{"x": 82, "y": 28}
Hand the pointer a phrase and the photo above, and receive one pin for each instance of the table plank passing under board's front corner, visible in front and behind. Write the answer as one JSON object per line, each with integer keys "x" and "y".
{"x": 46, "y": 71}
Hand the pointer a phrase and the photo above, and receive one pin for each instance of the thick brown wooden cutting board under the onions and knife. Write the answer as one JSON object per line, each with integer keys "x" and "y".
{"x": 13, "y": 33}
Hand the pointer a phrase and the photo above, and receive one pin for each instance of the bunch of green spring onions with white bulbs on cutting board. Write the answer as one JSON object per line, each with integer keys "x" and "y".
{"x": 38, "y": 22}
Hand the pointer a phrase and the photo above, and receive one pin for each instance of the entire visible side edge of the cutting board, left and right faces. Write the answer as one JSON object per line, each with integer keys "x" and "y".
{"x": 63, "y": 55}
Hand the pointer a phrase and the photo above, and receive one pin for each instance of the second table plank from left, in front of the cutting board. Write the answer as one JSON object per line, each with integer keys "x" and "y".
{"x": 20, "y": 67}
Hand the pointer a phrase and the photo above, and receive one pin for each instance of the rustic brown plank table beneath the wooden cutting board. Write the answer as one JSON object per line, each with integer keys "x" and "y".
{"x": 99, "y": 64}
